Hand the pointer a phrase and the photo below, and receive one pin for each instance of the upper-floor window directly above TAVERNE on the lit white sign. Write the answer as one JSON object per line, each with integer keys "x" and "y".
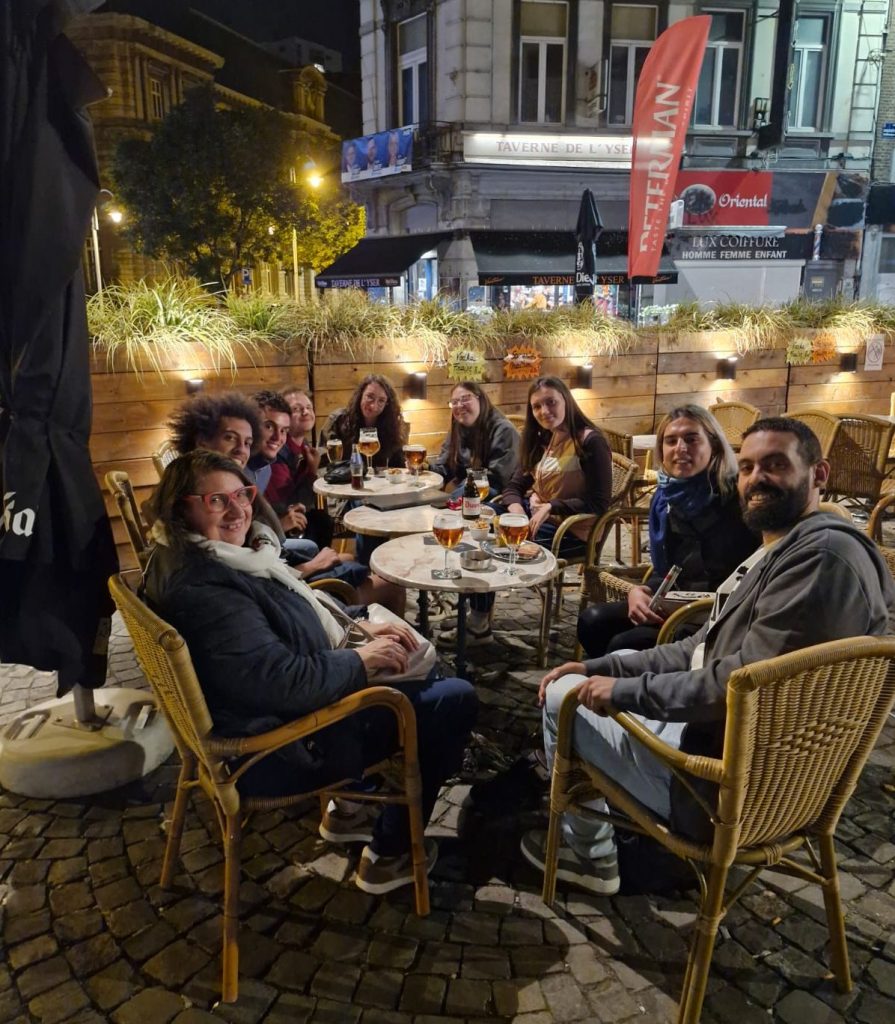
{"x": 543, "y": 33}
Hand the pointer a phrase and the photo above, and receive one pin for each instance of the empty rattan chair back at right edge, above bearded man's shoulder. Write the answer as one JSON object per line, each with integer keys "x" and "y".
{"x": 858, "y": 459}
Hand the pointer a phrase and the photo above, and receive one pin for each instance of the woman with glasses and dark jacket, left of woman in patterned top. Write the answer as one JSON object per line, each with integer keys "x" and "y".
{"x": 481, "y": 438}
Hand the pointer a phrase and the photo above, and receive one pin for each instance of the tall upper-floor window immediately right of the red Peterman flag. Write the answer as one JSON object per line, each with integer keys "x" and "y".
{"x": 718, "y": 89}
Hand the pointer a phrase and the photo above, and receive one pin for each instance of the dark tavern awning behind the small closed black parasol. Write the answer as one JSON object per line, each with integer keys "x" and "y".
{"x": 548, "y": 259}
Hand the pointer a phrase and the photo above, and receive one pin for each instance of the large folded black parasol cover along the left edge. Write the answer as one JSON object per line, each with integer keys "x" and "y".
{"x": 57, "y": 548}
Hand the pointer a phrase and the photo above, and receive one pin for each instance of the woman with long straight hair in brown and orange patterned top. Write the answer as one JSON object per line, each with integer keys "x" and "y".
{"x": 566, "y": 468}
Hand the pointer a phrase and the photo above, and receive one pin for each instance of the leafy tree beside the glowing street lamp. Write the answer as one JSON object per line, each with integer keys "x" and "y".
{"x": 210, "y": 189}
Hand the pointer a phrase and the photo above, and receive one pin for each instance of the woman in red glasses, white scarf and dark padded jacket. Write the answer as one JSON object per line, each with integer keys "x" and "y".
{"x": 268, "y": 651}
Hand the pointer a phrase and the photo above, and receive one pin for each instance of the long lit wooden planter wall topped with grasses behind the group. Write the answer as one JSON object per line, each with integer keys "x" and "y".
{"x": 630, "y": 394}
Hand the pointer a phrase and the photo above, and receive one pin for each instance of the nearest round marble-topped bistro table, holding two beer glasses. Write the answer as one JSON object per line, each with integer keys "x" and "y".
{"x": 409, "y": 562}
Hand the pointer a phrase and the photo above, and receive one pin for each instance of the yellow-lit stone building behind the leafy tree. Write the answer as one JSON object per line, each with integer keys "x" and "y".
{"x": 148, "y": 65}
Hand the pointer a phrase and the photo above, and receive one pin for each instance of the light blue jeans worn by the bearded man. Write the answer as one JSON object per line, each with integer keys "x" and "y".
{"x": 604, "y": 743}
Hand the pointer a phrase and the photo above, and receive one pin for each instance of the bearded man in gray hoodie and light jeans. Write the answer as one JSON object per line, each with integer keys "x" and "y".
{"x": 816, "y": 579}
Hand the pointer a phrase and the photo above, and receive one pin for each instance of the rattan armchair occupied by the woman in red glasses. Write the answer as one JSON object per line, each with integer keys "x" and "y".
{"x": 208, "y": 760}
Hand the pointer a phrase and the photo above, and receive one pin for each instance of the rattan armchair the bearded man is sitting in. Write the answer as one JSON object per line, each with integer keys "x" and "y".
{"x": 799, "y": 731}
